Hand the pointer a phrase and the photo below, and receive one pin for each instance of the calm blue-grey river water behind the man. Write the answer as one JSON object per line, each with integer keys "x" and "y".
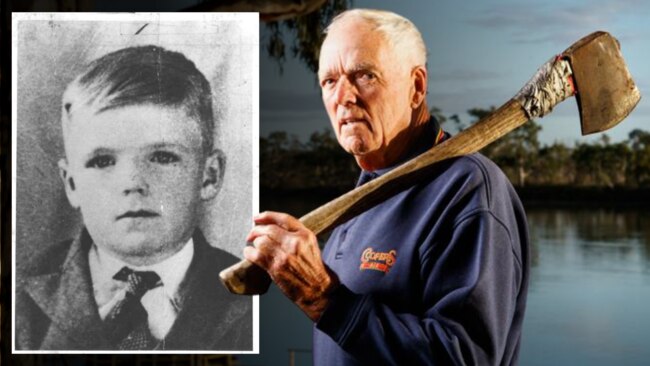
{"x": 588, "y": 302}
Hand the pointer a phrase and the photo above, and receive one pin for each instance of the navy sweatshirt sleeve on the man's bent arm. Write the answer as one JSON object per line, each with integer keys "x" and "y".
{"x": 470, "y": 286}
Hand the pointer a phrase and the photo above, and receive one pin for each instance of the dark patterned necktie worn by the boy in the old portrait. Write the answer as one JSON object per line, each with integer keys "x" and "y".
{"x": 127, "y": 322}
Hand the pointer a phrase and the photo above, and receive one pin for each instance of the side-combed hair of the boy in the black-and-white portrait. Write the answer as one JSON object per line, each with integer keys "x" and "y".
{"x": 142, "y": 75}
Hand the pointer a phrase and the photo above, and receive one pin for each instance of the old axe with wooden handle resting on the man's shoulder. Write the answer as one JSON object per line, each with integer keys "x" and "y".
{"x": 592, "y": 69}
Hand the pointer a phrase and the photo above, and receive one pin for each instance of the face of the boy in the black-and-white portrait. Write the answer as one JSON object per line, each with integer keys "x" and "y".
{"x": 138, "y": 174}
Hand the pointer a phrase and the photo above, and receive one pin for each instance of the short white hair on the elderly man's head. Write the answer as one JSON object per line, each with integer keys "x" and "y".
{"x": 400, "y": 32}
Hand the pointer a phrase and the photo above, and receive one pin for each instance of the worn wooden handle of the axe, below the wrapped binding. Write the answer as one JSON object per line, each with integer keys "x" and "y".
{"x": 245, "y": 278}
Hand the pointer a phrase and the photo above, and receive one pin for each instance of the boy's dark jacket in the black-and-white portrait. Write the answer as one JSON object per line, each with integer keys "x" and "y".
{"x": 56, "y": 309}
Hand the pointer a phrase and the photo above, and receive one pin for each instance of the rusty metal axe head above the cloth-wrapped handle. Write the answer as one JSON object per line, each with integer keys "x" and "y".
{"x": 606, "y": 93}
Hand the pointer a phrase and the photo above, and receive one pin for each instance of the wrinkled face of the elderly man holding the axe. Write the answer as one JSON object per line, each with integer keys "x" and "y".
{"x": 366, "y": 89}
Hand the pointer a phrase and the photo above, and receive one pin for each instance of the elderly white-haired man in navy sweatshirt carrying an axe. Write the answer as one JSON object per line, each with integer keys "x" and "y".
{"x": 434, "y": 275}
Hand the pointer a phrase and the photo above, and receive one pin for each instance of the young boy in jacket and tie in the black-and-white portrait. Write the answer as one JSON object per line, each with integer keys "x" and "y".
{"x": 140, "y": 158}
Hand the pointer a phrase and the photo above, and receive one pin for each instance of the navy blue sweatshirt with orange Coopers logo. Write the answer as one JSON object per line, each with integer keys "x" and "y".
{"x": 436, "y": 275}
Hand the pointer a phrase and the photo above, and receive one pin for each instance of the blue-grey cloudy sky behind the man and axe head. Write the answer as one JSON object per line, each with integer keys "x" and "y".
{"x": 480, "y": 53}
